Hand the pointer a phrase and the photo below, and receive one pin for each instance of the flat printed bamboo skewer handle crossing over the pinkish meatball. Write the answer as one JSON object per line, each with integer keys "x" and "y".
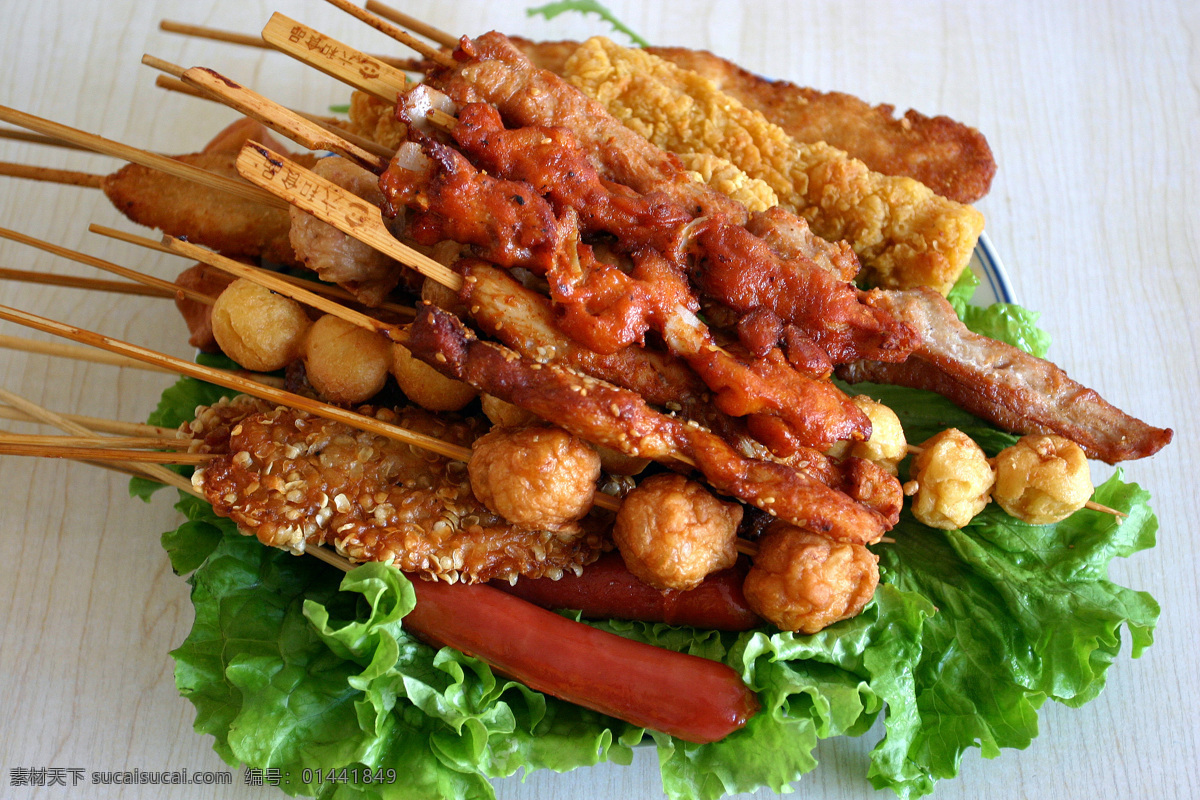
{"x": 332, "y": 204}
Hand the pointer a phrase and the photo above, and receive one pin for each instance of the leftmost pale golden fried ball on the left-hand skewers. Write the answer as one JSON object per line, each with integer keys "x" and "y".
{"x": 259, "y": 329}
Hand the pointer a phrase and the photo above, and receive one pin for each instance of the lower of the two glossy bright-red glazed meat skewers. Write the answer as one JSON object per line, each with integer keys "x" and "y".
{"x": 602, "y": 306}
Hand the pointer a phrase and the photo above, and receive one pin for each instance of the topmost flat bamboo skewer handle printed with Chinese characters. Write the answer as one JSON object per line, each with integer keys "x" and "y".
{"x": 335, "y": 59}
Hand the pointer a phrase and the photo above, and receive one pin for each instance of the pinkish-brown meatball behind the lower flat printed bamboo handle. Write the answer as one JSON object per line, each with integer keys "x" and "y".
{"x": 338, "y": 257}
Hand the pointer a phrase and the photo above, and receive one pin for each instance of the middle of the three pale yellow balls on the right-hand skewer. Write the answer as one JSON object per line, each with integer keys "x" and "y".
{"x": 953, "y": 480}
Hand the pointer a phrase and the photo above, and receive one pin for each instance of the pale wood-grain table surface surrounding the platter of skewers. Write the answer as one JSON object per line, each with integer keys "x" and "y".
{"x": 1094, "y": 116}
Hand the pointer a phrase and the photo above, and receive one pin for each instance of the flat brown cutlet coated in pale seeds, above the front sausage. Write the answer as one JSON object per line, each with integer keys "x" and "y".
{"x": 295, "y": 482}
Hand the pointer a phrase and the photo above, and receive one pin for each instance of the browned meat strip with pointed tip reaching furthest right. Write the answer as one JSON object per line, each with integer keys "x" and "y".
{"x": 1005, "y": 386}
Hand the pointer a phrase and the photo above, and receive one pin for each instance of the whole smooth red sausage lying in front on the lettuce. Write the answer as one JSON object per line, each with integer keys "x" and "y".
{"x": 686, "y": 696}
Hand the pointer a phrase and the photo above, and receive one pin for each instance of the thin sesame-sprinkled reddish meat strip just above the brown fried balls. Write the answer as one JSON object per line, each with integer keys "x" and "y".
{"x": 616, "y": 418}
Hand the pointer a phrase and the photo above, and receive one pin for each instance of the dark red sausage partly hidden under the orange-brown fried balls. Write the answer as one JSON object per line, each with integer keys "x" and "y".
{"x": 608, "y": 591}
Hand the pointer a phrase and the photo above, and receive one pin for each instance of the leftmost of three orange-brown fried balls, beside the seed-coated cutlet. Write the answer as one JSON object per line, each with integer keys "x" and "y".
{"x": 539, "y": 477}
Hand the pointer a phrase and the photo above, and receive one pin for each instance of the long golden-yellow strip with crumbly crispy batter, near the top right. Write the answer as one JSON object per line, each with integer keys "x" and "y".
{"x": 903, "y": 232}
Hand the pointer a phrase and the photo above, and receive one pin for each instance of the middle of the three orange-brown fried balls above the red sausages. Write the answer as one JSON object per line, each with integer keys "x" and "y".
{"x": 673, "y": 532}
